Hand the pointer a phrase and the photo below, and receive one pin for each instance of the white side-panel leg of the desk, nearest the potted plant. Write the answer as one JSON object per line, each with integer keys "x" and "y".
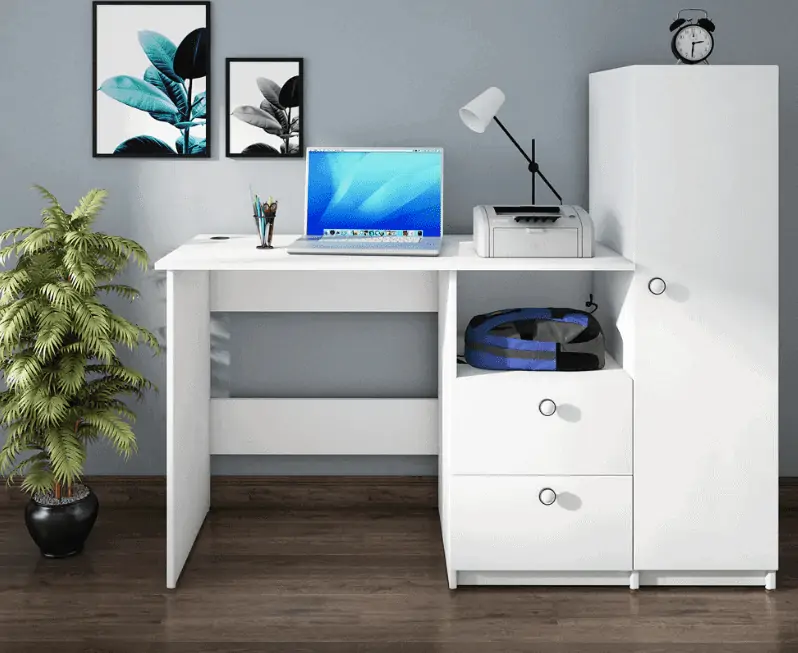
{"x": 188, "y": 391}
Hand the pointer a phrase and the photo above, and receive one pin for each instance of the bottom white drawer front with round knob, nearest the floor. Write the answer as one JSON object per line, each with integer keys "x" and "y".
{"x": 500, "y": 523}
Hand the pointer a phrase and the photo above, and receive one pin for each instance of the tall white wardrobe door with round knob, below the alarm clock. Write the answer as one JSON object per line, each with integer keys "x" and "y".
{"x": 706, "y": 329}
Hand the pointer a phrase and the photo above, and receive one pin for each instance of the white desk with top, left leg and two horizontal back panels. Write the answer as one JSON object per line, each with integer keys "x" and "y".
{"x": 207, "y": 275}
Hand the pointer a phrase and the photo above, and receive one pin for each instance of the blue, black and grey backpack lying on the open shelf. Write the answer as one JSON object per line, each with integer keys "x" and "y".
{"x": 561, "y": 339}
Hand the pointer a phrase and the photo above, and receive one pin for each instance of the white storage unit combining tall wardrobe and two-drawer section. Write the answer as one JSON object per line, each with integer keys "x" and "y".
{"x": 661, "y": 469}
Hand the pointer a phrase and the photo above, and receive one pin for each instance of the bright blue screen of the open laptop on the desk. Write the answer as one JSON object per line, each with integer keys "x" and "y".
{"x": 375, "y": 192}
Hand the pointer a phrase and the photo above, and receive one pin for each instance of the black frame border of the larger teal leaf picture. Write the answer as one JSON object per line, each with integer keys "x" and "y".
{"x": 208, "y": 114}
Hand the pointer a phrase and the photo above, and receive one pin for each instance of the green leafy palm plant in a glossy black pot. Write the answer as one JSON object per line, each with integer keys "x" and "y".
{"x": 66, "y": 385}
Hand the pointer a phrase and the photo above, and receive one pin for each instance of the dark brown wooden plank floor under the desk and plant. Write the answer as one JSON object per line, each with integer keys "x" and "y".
{"x": 336, "y": 581}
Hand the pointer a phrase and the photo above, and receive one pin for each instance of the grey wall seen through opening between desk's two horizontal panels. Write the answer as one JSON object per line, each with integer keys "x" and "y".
{"x": 332, "y": 355}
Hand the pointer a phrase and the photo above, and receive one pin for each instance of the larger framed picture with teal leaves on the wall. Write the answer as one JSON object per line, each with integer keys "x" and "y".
{"x": 152, "y": 79}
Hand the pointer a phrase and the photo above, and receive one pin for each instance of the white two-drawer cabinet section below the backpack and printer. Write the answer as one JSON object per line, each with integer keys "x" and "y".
{"x": 537, "y": 472}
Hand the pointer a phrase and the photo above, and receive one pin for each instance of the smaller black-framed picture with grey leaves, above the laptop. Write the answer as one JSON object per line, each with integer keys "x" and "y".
{"x": 265, "y": 110}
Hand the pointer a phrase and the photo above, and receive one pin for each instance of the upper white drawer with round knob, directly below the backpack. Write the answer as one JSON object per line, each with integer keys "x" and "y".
{"x": 500, "y": 426}
